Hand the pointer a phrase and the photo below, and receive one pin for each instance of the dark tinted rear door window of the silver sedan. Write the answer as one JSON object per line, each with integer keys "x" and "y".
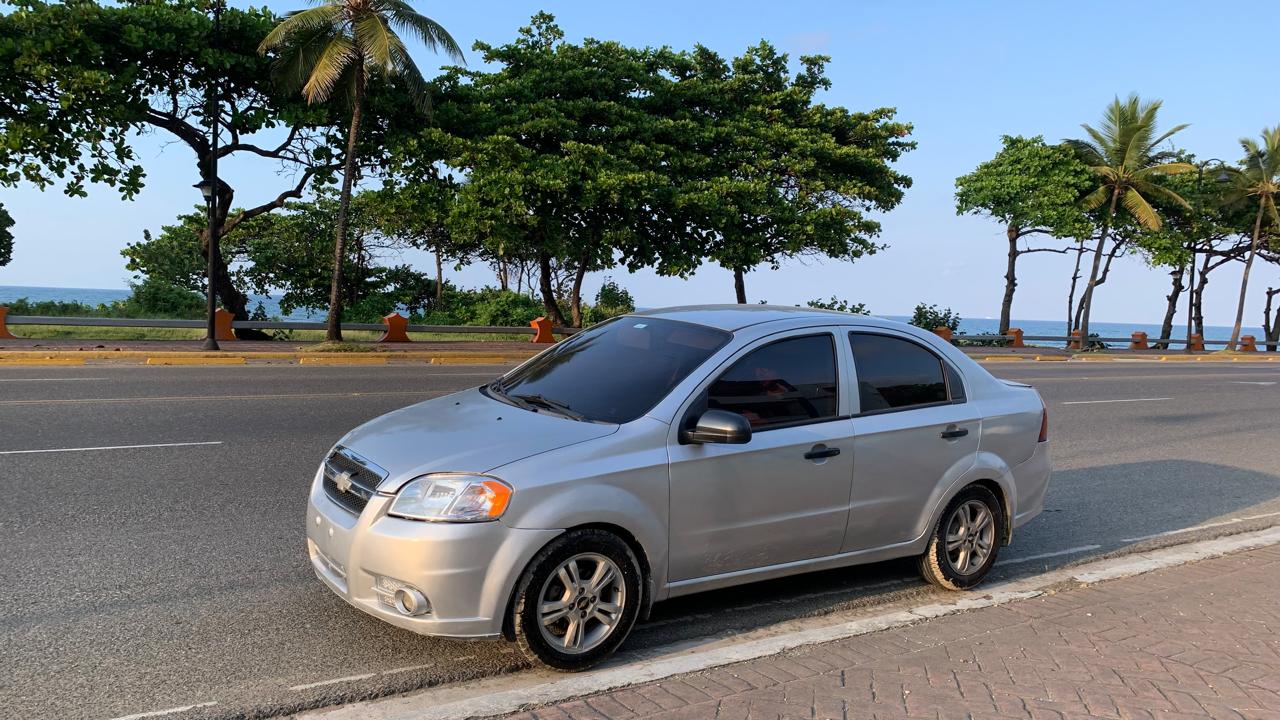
{"x": 895, "y": 373}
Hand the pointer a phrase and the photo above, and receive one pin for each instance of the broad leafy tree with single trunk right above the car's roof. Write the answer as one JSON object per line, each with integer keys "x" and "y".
{"x": 769, "y": 174}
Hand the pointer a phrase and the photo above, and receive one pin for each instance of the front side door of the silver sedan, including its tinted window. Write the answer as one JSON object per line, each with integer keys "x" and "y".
{"x": 783, "y": 496}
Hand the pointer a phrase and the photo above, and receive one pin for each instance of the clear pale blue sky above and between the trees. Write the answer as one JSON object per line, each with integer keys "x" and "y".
{"x": 962, "y": 74}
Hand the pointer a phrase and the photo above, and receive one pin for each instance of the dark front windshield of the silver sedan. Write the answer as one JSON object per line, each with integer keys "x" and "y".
{"x": 611, "y": 373}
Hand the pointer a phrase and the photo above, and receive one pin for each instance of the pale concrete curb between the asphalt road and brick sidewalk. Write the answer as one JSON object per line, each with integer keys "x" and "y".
{"x": 511, "y": 694}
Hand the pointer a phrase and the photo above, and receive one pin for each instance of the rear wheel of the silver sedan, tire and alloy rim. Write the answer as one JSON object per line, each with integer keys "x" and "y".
{"x": 966, "y": 541}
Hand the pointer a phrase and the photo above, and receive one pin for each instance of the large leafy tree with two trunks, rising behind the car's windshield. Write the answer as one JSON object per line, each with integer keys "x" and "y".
{"x": 560, "y": 154}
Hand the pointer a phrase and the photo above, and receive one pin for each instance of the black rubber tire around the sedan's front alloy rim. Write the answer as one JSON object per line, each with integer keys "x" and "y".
{"x": 542, "y": 582}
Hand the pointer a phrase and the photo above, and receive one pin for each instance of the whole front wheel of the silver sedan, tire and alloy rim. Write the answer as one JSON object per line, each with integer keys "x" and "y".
{"x": 578, "y": 600}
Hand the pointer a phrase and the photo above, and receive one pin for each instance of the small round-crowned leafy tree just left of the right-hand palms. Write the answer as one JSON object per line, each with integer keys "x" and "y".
{"x": 1032, "y": 189}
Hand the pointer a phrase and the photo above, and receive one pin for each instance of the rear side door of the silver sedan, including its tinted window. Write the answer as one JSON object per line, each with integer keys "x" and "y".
{"x": 913, "y": 434}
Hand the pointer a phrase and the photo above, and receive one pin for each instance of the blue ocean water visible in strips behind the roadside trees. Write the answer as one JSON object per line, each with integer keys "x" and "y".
{"x": 972, "y": 326}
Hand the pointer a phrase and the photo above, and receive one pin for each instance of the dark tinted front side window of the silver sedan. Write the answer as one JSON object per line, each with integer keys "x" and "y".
{"x": 790, "y": 381}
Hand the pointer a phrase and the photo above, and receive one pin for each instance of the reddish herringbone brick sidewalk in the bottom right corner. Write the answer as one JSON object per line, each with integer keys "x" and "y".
{"x": 1196, "y": 641}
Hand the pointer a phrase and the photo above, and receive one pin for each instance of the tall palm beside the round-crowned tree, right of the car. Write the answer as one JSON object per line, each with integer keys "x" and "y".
{"x": 1123, "y": 156}
